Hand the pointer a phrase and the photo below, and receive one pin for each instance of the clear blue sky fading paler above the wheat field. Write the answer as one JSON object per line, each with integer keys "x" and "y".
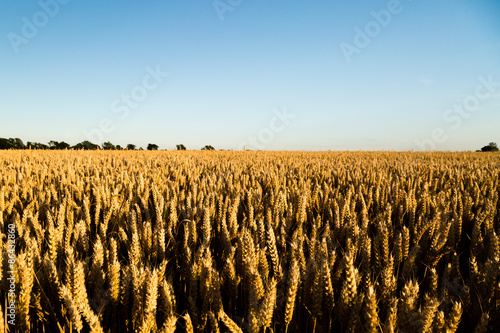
{"x": 294, "y": 75}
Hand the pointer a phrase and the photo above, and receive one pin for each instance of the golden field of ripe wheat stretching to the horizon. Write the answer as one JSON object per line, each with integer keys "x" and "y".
{"x": 213, "y": 241}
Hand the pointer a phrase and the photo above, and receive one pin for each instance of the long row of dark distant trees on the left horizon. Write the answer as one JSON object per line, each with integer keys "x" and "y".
{"x": 16, "y": 143}
